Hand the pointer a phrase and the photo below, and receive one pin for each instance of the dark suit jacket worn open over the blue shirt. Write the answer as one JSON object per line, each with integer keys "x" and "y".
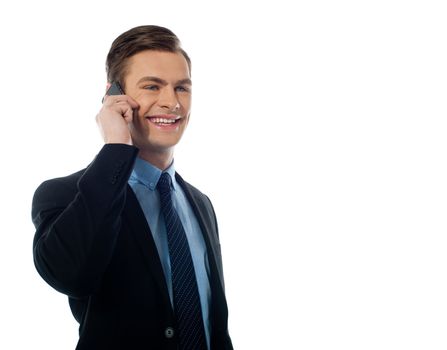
{"x": 93, "y": 244}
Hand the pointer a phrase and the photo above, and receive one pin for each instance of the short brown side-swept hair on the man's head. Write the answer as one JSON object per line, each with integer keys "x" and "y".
{"x": 139, "y": 39}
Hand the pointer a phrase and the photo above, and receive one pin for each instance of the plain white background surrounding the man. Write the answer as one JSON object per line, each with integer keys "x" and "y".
{"x": 318, "y": 130}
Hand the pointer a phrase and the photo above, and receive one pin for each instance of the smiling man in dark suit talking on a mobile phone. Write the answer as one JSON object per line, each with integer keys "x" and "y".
{"x": 133, "y": 245}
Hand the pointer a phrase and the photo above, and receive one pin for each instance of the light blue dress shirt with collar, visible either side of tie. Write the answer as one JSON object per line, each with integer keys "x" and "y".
{"x": 143, "y": 180}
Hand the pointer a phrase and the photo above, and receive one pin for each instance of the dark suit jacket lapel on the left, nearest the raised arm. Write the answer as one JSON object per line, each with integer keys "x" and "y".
{"x": 143, "y": 235}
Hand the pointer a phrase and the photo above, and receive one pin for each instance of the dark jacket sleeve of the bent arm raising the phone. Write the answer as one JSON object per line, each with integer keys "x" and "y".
{"x": 78, "y": 220}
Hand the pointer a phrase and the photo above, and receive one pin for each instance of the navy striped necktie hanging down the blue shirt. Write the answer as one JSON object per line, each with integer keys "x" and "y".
{"x": 184, "y": 284}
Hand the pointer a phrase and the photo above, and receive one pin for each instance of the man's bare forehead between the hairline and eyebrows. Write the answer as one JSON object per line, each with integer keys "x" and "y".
{"x": 165, "y": 65}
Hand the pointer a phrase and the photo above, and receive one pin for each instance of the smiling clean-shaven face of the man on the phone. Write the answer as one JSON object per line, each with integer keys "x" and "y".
{"x": 160, "y": 83}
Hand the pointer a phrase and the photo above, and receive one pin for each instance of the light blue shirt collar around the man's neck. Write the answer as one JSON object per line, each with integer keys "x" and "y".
{"x": 148, "y": 174}
